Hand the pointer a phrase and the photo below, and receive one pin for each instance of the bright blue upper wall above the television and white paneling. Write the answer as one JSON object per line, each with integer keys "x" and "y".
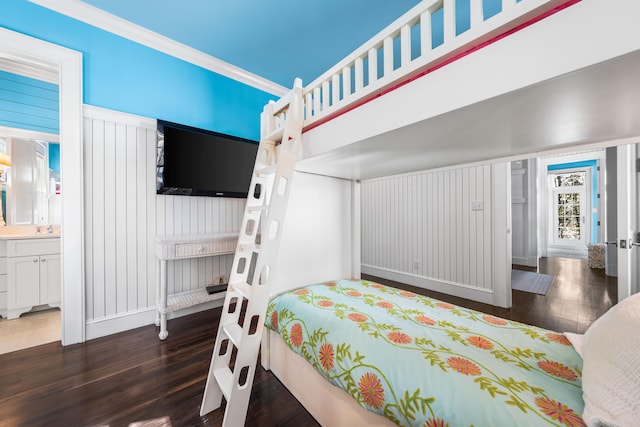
{"x": 124, "y": 76}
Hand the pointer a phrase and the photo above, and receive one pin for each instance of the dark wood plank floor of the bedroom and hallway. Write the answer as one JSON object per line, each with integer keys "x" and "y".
{"x": 132, "y": 376}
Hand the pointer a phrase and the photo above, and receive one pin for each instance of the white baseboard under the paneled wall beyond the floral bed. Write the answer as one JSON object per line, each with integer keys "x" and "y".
{"x": 450, "y": 288}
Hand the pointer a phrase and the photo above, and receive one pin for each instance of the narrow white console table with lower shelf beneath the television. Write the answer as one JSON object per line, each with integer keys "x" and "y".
{"x": 182, "y": 247}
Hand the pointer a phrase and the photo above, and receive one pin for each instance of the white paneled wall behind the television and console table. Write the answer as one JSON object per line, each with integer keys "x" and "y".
{"x": 123, "y": 215}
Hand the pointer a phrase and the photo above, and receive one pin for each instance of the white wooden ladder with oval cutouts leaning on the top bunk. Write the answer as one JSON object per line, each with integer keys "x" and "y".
{"x": 235, "y": 353}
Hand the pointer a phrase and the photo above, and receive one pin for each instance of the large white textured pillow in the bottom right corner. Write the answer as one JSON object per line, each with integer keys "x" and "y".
{"x": 611, "y": 369}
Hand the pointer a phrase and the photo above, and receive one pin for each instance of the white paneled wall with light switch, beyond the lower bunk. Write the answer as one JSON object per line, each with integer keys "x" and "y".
{"x": 434, "y": 229}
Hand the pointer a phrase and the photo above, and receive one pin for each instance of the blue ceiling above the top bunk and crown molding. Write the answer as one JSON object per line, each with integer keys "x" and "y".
{"x": 276, "y": 40}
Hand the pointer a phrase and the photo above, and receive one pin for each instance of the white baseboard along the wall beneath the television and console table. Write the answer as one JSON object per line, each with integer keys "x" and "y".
{"x": 123, "y": 322}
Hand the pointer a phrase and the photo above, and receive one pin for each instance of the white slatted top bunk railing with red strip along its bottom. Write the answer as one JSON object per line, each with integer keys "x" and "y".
{"x": 427, "y": 37}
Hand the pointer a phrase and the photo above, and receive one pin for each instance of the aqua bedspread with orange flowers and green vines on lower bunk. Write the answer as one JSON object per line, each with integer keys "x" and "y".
{"x": 422, "y": 362}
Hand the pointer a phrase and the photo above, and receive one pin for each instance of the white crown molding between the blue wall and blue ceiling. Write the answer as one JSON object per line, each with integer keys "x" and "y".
{"x": 91, "y": 15}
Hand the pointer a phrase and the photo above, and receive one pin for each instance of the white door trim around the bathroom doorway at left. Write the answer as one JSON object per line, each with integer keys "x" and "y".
{"x": 68, "y": 64}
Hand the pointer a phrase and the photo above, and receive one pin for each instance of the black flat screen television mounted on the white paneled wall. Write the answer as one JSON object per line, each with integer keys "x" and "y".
{"x": 197, "y": 162}
